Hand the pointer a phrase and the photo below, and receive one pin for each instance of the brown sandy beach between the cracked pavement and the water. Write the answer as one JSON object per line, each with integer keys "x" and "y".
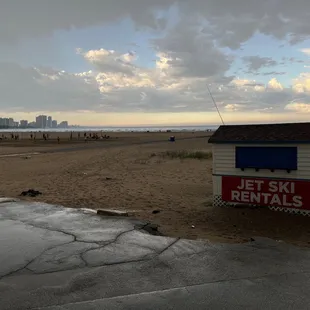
{"x": 129, "y": 172}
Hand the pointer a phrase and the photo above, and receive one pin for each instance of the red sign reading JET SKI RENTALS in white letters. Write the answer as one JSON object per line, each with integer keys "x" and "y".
{"x": 267, "y": 192}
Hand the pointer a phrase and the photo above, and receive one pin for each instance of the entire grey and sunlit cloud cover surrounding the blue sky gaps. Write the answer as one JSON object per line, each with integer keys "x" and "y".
{"x": 192, "y": 53}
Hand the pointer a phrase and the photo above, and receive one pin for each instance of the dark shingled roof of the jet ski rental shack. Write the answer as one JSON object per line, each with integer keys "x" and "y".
{"x": 263, "y": 133}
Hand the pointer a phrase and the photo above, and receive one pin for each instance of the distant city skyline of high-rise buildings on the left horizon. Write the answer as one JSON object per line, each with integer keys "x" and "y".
{"x": 41, "y": 121}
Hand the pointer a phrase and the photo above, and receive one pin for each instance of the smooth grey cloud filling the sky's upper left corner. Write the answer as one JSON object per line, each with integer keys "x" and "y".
{"x": 38, "y": 18}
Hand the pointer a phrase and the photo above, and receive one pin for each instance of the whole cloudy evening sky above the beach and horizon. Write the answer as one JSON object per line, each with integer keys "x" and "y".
{"x": 151, "y": 62}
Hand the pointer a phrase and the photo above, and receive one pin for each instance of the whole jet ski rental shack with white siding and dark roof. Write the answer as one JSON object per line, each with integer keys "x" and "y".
{"x": 266, "y": 165}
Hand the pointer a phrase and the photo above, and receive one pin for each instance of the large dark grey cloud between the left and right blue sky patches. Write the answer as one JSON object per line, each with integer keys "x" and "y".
{"x": 188, "y": 53}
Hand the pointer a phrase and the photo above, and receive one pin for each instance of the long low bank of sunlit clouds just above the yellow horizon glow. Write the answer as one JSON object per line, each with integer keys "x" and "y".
{"x": 143, "y": 90}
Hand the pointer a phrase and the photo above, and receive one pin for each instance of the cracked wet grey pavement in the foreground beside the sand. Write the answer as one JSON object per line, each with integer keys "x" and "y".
{"x": 63, "y": 259}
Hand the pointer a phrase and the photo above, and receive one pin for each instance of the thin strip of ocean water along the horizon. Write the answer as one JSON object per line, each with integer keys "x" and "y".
{"x": 117, "y": 129}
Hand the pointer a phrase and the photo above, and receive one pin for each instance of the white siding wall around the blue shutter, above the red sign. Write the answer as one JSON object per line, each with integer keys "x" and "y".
{"x": 224, "y": 163}
